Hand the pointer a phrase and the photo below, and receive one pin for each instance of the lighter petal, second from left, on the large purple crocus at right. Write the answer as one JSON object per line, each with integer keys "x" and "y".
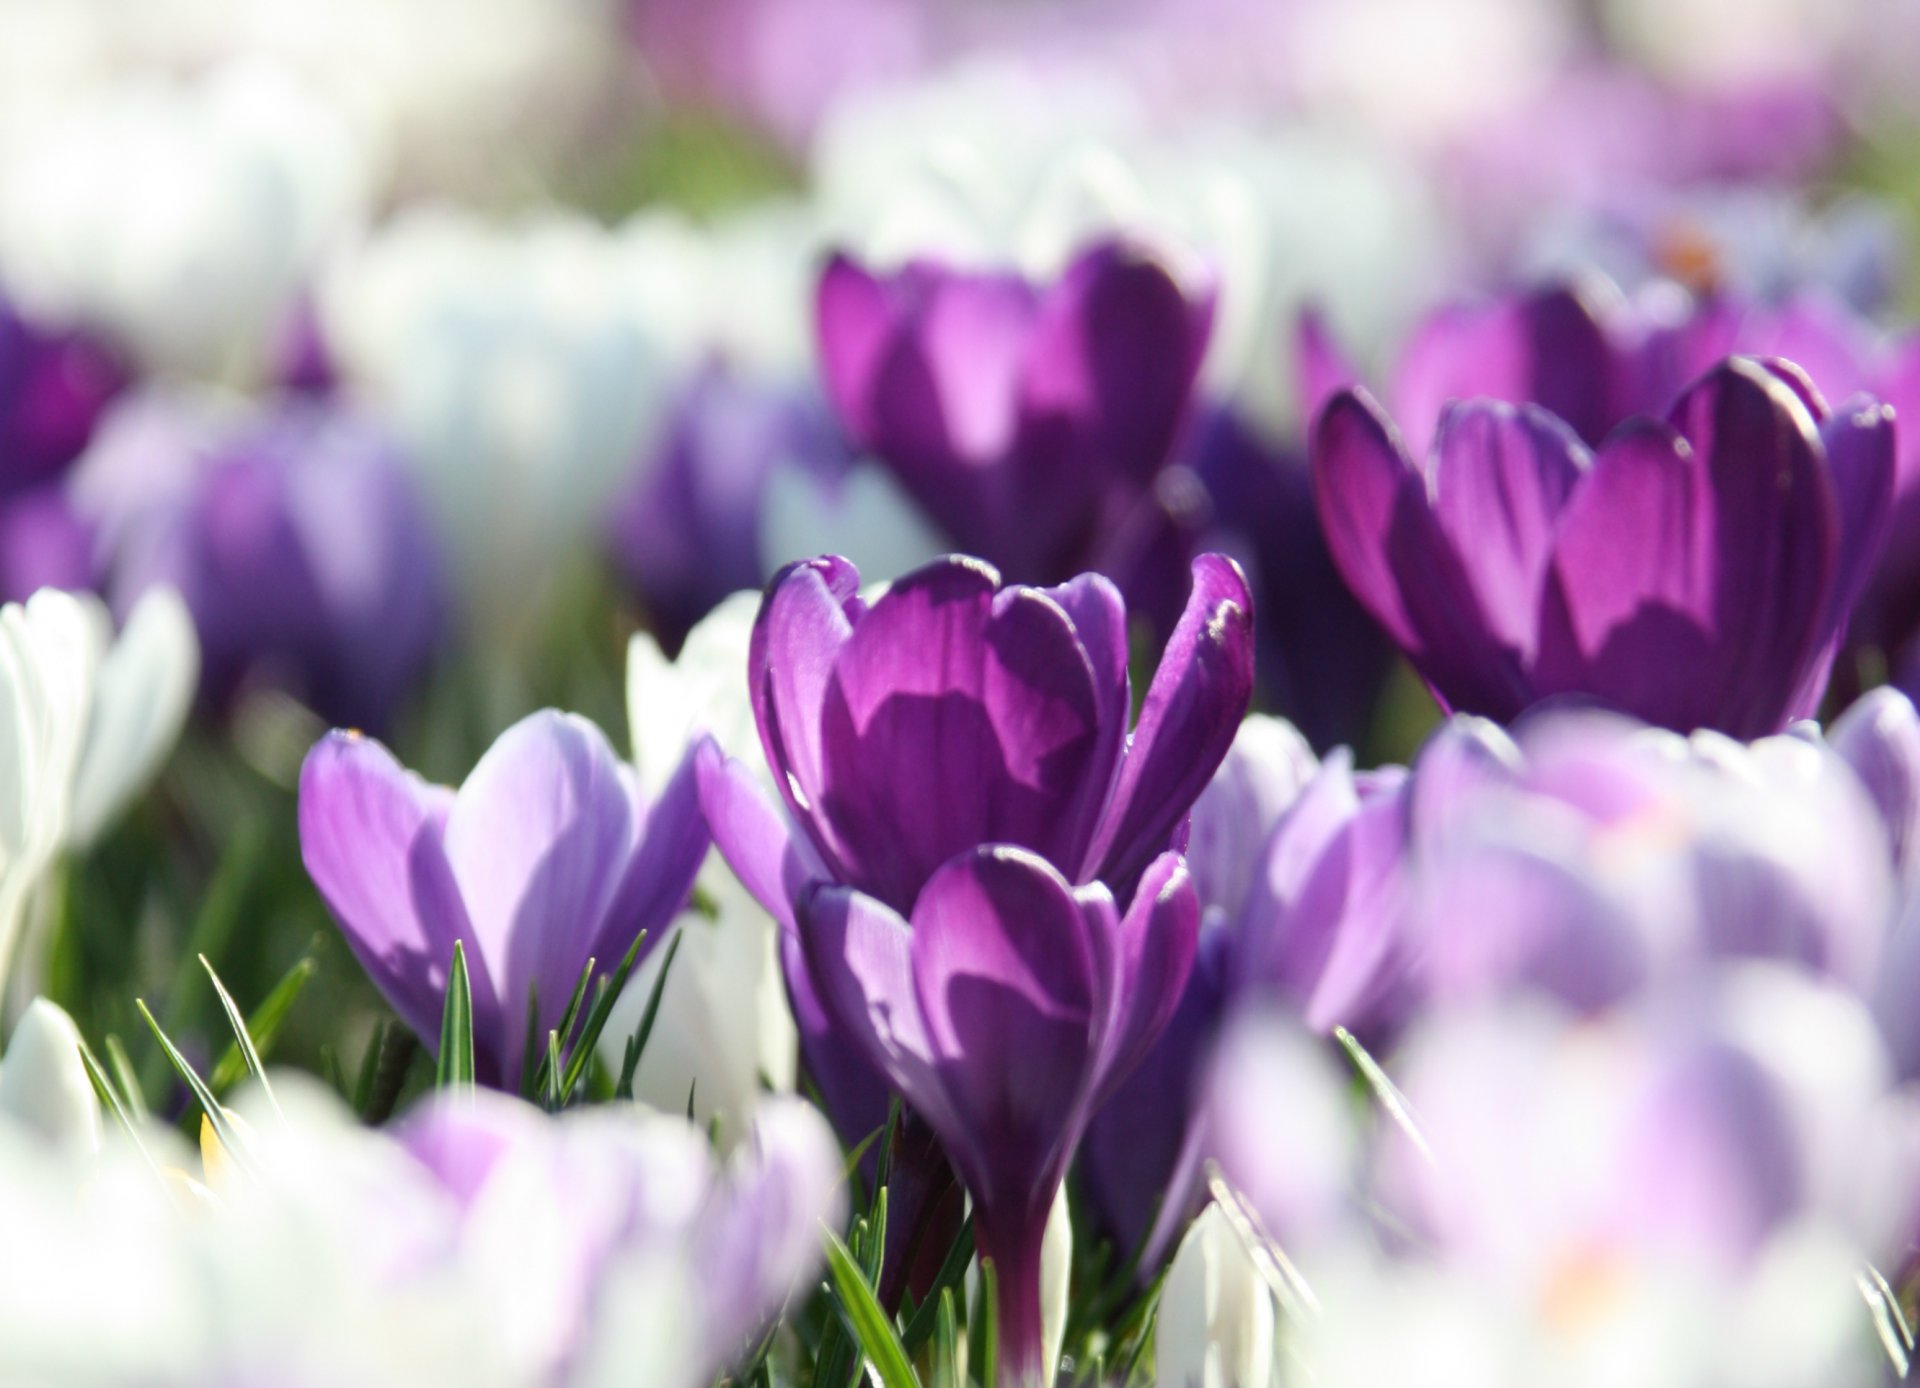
{"x": 1502, "y": 477}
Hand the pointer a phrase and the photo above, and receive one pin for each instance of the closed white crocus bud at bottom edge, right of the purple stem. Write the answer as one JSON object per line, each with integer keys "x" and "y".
{"x": 1216, "y": 1314}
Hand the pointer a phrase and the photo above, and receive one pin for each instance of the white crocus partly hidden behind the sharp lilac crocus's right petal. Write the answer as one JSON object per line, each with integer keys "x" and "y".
{"x": 725, "y": 1028}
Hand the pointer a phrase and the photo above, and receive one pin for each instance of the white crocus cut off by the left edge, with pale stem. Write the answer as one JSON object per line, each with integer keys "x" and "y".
{"x": 85, "y": 723}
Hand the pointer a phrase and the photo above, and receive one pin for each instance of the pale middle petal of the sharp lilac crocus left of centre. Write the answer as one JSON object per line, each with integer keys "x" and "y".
{"x": 539, "y": 840}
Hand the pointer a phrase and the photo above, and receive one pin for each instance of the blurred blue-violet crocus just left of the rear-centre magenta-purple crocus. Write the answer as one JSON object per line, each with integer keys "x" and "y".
{"x": 688, "y": 533}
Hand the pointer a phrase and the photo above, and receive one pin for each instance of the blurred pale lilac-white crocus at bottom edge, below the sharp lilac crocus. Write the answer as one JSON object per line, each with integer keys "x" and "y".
{"x": 613, "y": 1232}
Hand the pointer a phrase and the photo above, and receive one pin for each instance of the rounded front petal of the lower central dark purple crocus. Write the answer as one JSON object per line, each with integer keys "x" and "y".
{"x": 1009, "y": 992}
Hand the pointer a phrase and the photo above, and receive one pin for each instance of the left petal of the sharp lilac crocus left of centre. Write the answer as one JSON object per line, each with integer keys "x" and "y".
{"x": 372, "y": 838}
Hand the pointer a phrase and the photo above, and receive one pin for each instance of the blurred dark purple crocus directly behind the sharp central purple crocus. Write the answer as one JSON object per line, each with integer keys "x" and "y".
{"x": 1028, "y": 419}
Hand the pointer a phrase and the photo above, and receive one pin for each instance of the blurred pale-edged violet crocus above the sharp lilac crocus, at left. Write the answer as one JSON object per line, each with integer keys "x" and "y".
{"x": 291, "y": 531}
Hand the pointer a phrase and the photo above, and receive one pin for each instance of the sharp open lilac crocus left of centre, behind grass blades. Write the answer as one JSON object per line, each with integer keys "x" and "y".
{"x": 544, "y": 859}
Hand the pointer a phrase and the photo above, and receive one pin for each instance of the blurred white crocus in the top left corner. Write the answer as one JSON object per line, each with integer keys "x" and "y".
{"x": 183, "y": 218}
